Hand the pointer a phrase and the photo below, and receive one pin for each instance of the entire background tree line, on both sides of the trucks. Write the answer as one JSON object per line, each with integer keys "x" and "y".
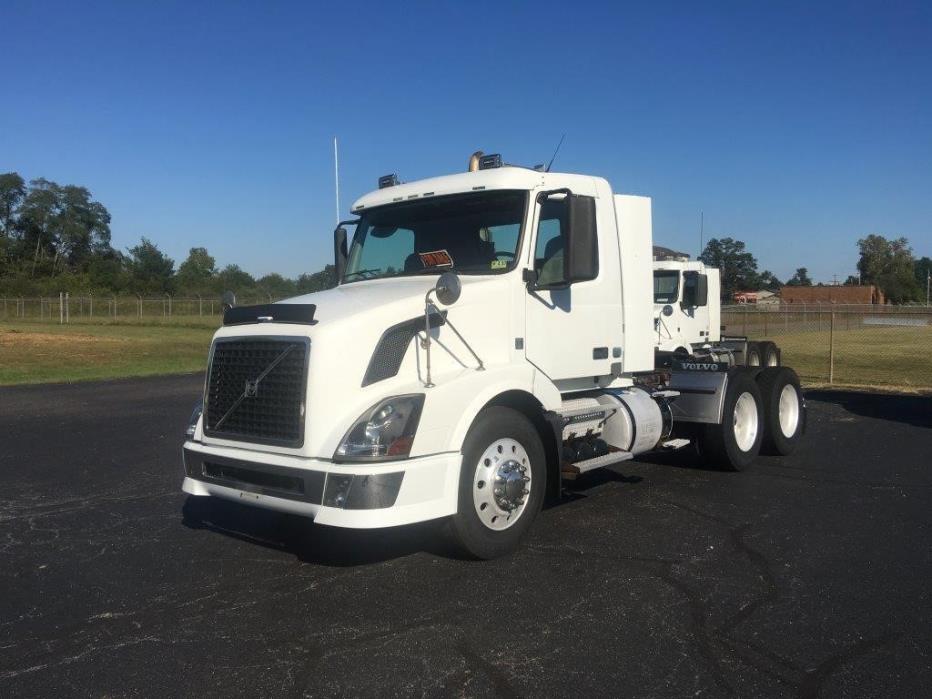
{"x": 57, "y": 238}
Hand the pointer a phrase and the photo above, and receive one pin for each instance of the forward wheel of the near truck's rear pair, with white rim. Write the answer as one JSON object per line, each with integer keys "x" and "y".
{"x": 735, "y": 442}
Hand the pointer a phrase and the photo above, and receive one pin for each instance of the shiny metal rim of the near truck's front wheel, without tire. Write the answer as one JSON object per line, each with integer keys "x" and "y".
{"x": 501, "y": 484}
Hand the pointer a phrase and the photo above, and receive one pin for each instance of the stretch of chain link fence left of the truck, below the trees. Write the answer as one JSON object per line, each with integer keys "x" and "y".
{"x": 146, "y": 310}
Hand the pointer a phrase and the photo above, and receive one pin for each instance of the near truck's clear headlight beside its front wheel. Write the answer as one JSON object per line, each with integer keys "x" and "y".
{"x": 384, "y": 432}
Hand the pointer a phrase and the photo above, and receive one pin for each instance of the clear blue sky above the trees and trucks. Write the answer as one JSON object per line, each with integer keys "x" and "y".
{"x": 796, "y": 127}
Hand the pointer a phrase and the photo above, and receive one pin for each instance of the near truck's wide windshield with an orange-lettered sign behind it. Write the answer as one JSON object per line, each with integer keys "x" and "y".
{"x": 470, "y": 233}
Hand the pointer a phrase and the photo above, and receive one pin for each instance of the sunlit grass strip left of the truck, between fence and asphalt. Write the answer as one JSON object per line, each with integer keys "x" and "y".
{"x": 45, "y": 352}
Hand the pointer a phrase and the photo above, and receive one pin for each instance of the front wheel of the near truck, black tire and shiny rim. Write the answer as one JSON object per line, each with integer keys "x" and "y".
{"x": 502, "y": 482}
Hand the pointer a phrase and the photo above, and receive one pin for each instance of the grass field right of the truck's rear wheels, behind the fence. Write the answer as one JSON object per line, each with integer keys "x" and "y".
{"x": 868, "y": 356}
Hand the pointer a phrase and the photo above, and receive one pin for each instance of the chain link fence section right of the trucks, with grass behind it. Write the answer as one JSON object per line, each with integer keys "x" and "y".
{"x": 874, "y": 346}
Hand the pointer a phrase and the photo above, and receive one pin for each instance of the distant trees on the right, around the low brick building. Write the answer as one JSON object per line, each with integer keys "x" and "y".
{"x": 888, "y": 264}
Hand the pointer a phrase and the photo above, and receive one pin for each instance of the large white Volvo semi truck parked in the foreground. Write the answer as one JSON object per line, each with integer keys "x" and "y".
{"x": 491, "y": 334}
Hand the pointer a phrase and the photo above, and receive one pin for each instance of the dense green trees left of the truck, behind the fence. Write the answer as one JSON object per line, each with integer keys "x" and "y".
{"x": 57, "y": 238}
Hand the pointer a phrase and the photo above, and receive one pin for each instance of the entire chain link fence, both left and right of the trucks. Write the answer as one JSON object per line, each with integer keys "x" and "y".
{"x": 876, "y": 346}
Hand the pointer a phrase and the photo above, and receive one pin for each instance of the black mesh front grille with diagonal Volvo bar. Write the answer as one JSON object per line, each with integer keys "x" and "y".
{"x": 255, "y": 390}
